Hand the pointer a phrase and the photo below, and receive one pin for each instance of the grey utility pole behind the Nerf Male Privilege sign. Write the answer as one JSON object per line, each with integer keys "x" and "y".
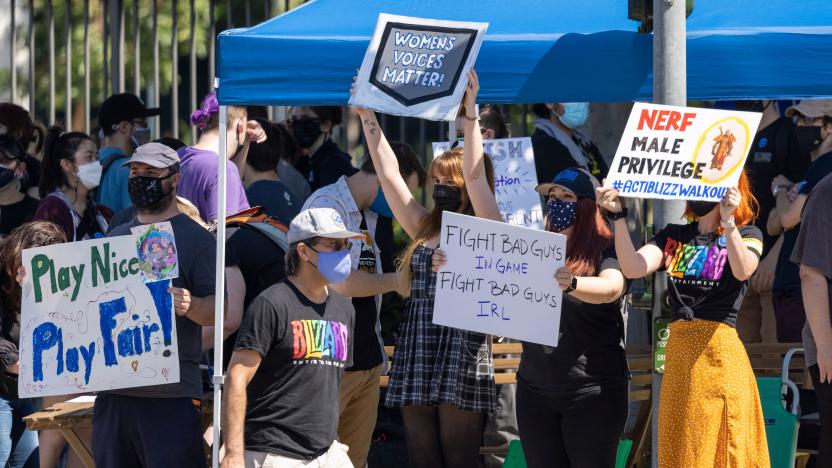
{"x": 669, "y": 87}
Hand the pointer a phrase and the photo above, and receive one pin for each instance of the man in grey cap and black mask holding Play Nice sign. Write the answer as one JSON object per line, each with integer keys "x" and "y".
{"x": 160, "y": 425}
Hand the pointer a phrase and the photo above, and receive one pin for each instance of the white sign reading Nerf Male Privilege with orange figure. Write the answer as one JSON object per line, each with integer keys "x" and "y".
{"x": 684, "y": 153}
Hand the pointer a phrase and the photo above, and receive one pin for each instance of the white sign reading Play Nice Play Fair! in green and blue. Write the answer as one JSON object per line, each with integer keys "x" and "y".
{"x": 89, "y": 322}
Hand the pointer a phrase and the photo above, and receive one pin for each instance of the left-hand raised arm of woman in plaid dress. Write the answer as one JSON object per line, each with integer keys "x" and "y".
{"x": 408, "y": 212}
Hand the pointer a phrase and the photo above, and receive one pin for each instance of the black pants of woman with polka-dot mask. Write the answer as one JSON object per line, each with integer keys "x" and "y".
{"x": 580, "y": 430}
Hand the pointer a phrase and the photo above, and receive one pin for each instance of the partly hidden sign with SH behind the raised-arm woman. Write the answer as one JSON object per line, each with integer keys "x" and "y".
{"x": 514, "y": 179}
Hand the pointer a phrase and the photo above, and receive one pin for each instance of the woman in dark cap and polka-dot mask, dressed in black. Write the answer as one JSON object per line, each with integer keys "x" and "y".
{"x": 572, "y": 400}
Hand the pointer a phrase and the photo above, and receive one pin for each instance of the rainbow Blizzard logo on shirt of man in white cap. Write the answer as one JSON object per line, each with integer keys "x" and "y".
{"x": 319, "y": 342}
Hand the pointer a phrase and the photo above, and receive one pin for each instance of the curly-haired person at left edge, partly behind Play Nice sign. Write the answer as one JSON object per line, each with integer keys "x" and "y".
{"x": 18, "y": 446}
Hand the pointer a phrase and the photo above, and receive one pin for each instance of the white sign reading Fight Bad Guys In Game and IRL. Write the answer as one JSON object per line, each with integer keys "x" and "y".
{"x": 499, "y": 279}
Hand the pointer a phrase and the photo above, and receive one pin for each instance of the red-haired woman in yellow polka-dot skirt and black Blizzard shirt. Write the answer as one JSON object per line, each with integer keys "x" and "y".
{"x": 709, "y": 409}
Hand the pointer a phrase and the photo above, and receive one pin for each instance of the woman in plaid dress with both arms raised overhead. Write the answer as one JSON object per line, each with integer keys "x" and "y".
{"x": 442, "y": 377}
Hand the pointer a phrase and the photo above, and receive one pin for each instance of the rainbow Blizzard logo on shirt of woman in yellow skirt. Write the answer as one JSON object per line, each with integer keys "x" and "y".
{"x": 695, "y": 262}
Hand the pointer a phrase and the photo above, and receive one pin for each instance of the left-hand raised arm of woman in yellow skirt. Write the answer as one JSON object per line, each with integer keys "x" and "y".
{"x": 634, "y": 264}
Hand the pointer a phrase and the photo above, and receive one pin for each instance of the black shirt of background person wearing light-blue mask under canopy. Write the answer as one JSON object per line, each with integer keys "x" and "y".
{"x": 551, "y": 157}
